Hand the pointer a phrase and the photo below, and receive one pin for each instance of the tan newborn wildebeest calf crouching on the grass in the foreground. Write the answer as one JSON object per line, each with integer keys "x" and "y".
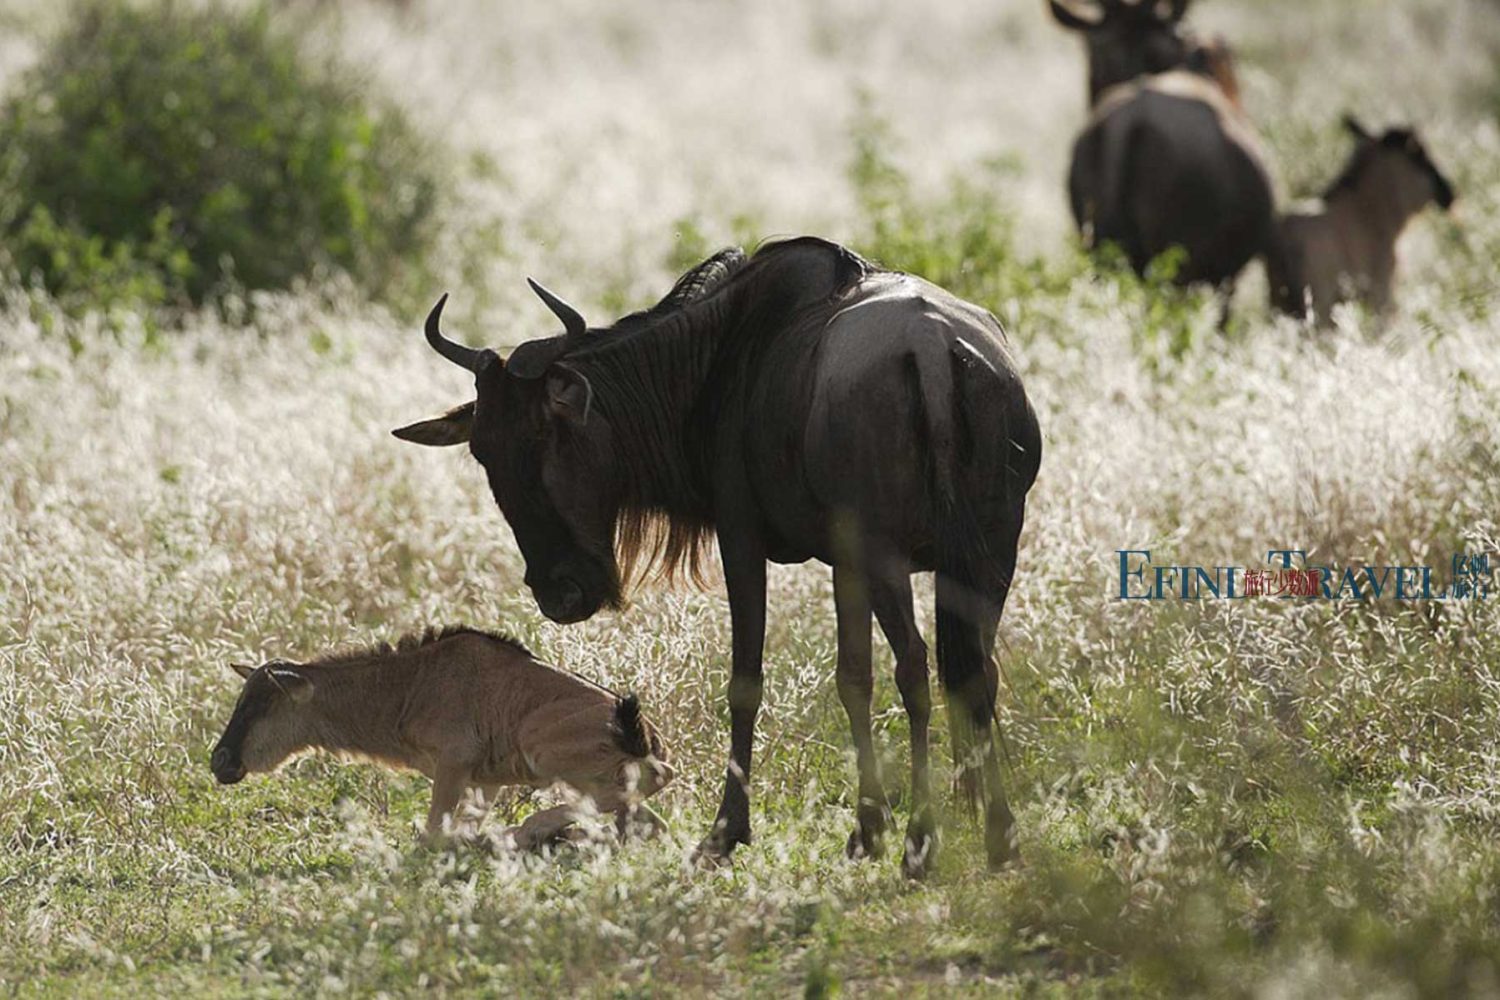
{"x": 466, "y": 708}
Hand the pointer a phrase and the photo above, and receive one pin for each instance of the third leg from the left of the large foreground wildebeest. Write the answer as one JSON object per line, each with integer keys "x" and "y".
{"x": 892, "y": 597}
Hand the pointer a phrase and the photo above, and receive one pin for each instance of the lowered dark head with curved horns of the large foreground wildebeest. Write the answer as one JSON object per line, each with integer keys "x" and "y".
{"x": 550, "y": 460}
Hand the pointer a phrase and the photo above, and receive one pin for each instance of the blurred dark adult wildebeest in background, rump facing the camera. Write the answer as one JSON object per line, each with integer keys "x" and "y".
{"x": 1166, "y": 160}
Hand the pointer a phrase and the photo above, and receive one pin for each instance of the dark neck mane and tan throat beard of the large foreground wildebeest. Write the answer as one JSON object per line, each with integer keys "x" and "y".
{"x": 665, "y": 358}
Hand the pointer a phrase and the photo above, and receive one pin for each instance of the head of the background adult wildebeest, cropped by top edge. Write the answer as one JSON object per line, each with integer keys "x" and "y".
{"x": 1127, "y": 38}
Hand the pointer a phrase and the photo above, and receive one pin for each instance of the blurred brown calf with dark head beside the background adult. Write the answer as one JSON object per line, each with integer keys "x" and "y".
{"x": 1349, "y": 250}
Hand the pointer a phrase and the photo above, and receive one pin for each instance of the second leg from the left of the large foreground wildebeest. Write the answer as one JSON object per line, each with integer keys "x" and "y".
{"x": 856, "y": 689}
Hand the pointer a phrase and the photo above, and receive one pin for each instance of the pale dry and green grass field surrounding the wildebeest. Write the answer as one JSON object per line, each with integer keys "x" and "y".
{"x": 1252, "y": 798}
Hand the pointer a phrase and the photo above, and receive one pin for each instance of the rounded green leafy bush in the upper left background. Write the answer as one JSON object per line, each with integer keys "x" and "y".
{"x": 166, "y": 152}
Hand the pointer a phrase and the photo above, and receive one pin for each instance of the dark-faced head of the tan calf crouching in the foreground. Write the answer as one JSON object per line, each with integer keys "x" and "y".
{"x": 271, "y": 722}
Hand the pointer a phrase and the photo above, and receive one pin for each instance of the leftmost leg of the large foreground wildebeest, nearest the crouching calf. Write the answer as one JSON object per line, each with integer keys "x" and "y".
{"x": 743, "y": 558}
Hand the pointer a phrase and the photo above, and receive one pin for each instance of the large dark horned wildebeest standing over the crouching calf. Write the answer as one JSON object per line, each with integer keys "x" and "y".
{"x": 802, "y": 404}
